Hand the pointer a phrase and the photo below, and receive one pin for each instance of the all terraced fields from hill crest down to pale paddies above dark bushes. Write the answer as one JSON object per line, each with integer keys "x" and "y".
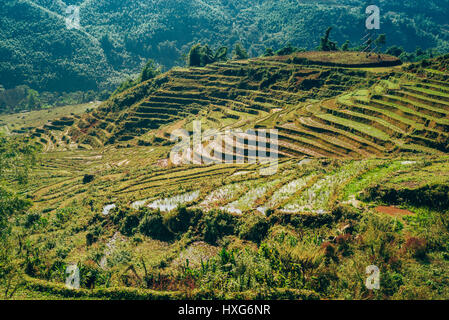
{"x": 319, "y": 111}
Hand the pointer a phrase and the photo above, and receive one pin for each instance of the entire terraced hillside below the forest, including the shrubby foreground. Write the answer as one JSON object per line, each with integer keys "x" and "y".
{"x": 362, "y": 180}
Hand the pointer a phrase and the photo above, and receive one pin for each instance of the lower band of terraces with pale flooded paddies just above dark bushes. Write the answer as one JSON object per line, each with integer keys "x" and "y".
{"x": 306, "y": 187}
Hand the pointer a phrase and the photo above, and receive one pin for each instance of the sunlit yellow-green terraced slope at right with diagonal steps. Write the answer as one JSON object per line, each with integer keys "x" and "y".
{"x": 404, "y": 113}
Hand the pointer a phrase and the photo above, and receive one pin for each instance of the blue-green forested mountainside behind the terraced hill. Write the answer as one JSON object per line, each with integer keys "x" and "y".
{"x": 117, "y": 37}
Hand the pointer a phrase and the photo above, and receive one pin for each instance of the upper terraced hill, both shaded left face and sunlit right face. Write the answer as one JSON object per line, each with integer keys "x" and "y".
{"x": 320, "y": 109}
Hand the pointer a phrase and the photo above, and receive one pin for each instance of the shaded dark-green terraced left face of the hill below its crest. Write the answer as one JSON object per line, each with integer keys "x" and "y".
{"x": 235, "y": 94}
